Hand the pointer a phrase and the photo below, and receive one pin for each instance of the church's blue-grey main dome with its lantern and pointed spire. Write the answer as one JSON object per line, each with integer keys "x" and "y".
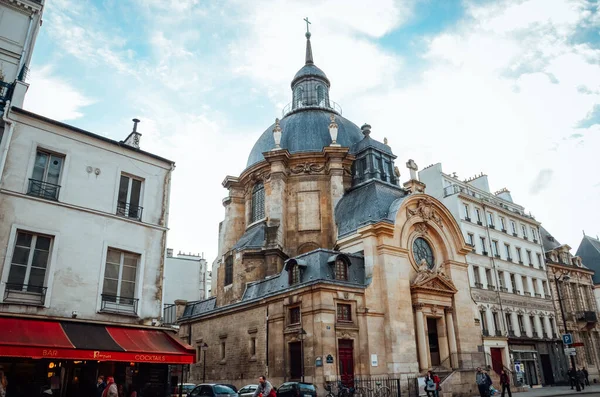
{"x": 305, "y": 126}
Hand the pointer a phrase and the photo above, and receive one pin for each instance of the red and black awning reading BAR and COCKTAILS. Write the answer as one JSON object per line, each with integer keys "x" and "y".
{"x": 84, "y": 341}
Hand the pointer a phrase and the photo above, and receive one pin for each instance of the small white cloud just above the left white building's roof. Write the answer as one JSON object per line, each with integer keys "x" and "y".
{"x": 54, "y": 97}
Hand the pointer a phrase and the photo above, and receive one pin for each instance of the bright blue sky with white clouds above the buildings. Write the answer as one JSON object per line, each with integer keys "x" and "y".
{"x": 508, "y": 88}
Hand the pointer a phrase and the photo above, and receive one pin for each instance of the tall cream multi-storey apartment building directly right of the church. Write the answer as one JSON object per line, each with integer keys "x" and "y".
{"x": 507, "y": 275}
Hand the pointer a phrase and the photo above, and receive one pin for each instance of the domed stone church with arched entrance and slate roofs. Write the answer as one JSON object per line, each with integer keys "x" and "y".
{"x": 328, "y": 266}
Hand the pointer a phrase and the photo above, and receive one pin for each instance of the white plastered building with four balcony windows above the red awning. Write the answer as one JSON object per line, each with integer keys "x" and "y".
{"x": 84, "y": 223}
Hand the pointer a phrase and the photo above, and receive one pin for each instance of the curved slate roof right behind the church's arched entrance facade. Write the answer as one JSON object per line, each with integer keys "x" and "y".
{"x": 368, "y": 203}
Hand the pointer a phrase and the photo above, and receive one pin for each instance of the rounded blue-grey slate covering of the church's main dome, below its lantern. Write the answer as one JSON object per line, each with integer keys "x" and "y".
{"x": 306, "y": 131}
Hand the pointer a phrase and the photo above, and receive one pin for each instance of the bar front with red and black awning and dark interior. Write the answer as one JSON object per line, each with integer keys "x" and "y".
{"x": 68, "y": 357}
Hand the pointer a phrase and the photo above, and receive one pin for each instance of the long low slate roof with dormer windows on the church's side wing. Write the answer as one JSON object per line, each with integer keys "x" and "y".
{"x": 318, "y": 269}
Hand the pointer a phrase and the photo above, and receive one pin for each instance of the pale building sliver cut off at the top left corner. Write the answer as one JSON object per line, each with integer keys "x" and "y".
{"x": 20, "y": 21}
